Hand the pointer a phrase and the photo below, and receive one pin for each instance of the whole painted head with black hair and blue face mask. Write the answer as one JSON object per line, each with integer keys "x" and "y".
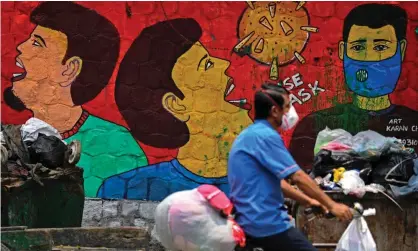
{"x": 372, "y": 53}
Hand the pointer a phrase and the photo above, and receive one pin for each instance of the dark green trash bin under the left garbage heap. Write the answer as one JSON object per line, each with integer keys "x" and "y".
{"x": 58, "y": 203}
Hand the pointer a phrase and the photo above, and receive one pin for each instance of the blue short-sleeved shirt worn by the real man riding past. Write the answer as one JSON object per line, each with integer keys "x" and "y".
{"x": 257, "y": 162}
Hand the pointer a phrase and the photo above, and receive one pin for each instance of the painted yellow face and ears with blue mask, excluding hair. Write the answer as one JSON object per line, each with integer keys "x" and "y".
{"x": 372, "y": 60}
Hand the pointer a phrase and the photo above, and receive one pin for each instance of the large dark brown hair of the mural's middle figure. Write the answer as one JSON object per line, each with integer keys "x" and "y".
{"x": 144, "y": 77}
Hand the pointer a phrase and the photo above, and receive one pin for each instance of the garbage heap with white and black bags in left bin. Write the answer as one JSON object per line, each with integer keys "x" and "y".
{"x": 35, "y": 151}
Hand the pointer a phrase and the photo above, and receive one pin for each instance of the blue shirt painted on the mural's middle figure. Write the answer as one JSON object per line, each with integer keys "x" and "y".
{"x": 155, "y": 182}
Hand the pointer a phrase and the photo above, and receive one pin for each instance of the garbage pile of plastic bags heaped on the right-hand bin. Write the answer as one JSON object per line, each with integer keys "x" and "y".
{"x": 365, "y": 162}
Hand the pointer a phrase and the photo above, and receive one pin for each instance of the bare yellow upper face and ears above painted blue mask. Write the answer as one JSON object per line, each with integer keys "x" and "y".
{"x": 367, "y": 44}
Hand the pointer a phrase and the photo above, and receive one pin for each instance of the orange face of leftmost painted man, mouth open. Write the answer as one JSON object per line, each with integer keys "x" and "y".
{"x": 40, "y": 60}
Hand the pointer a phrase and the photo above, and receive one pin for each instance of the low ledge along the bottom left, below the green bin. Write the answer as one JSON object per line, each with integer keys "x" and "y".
{"x": 122, "y": 238}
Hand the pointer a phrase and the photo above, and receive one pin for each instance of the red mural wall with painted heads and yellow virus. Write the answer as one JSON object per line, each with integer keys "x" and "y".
{"x": 157, "y": 91}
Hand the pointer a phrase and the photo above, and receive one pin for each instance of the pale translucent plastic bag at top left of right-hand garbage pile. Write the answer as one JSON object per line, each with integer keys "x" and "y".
{"x": 340, "y": 136}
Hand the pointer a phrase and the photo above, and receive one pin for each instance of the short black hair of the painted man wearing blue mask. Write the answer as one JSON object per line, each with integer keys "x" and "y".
{"x": 375, "y": 16}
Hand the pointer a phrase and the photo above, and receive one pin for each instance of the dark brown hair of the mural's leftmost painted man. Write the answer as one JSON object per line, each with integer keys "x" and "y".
{"x": 90, "y": 36}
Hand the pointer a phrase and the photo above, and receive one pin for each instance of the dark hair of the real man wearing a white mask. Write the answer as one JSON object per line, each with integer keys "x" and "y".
{"x": 263, "y": 103}
